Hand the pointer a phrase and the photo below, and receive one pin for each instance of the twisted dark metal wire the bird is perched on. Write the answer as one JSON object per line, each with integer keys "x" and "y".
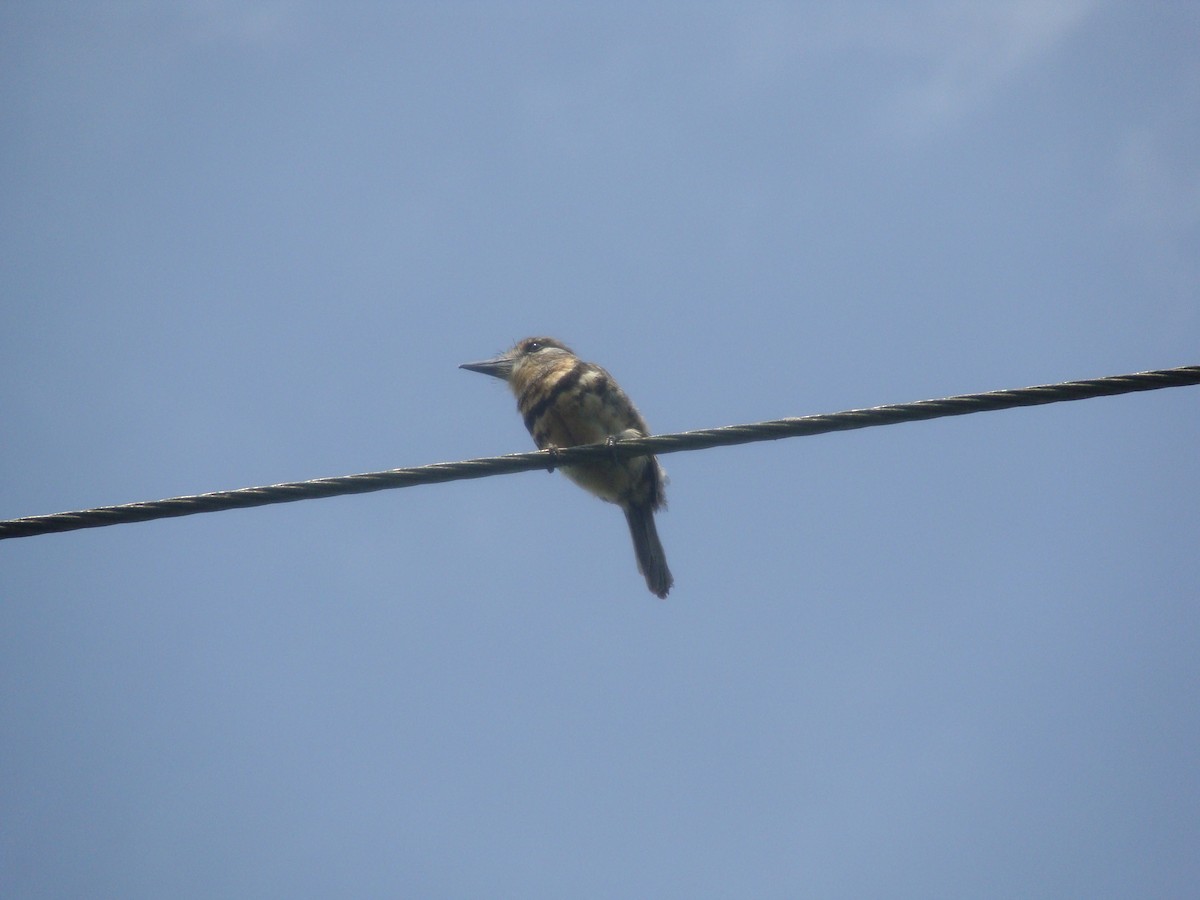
{"x": 727, "y": 436}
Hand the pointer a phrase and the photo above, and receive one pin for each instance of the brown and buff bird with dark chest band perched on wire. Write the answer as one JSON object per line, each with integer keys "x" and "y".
{"x": 566, "y": 403}
